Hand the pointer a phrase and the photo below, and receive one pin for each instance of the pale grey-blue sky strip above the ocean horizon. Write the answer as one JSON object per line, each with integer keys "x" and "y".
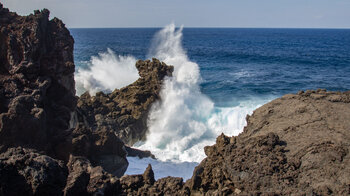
{"x": 192, "y": 13}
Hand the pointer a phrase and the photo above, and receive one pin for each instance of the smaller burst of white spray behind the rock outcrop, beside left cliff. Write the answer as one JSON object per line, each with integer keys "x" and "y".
{"x": 106, "y": 72}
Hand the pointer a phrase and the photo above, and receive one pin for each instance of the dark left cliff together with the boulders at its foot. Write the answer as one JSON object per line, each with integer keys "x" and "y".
{"x": 41, "y": 153}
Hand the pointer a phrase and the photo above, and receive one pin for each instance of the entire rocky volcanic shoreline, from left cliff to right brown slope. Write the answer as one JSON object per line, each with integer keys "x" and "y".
{"x": 54, "y": 143}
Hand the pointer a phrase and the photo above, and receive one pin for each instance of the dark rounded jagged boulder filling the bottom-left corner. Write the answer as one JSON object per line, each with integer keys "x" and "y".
{"x": 26, "y": 172}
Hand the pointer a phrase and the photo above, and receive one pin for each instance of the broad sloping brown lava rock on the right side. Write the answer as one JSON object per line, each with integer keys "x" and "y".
{"x": 294, "y": 145}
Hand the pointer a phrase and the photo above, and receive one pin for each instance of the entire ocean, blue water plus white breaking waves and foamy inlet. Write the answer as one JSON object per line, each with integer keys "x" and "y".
{"x": 220, "y": 76}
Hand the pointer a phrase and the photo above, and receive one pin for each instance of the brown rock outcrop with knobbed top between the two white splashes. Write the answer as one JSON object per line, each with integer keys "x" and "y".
{"x": 125, "y": 110}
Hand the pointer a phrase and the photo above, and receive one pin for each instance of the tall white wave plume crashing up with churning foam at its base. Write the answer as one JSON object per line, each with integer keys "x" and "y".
{"x": 185, "y": 120}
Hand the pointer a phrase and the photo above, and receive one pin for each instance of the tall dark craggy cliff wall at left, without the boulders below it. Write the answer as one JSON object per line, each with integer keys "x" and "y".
{"x": 37, "y": 94}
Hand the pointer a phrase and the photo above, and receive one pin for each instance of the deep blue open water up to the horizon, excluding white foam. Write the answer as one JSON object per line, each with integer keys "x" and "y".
{"x": 240, "y": 64}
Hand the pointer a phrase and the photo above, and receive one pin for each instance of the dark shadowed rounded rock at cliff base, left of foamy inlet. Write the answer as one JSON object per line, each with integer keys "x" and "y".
{"x": 102, "y": 147}
